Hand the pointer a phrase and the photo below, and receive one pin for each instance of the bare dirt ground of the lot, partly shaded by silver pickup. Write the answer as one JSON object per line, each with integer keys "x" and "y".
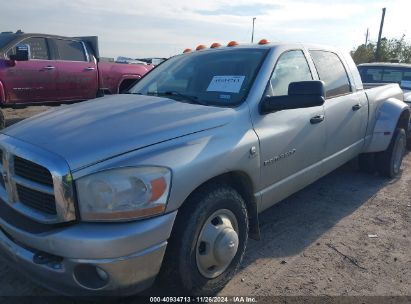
{"x": 318, "y": 242}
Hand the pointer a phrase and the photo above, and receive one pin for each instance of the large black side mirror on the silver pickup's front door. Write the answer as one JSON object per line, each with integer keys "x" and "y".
{"x": 302, "y": 94}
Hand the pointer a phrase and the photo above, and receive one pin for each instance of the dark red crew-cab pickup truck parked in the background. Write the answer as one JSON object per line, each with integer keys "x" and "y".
{"x": 40, "y": 68}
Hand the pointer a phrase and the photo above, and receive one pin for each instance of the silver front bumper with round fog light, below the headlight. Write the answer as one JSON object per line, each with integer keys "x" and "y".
{"x": 121, "y": 275}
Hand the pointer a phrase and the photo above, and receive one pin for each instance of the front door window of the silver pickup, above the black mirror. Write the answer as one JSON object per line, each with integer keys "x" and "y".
{"x": 292, "y": 66}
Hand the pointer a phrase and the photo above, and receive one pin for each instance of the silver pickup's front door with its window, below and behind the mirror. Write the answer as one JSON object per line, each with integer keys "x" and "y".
{"x": 291, "y": 141}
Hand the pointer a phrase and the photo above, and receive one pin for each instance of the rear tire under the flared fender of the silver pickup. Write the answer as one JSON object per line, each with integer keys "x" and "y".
{"x": 389, "y": 161}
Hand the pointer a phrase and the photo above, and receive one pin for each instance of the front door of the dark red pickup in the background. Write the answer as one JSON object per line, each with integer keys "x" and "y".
{"x": 33, "y": 80}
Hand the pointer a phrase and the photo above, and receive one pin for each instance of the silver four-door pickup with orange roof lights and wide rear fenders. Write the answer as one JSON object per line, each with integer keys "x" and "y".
{"x": 168, "y": 181}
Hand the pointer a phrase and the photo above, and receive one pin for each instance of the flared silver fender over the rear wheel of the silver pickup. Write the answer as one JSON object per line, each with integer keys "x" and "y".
{"x": 389, "y": 115}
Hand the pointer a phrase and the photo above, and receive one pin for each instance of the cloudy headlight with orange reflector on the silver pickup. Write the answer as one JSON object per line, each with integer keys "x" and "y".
{"x": 124, "y": 193}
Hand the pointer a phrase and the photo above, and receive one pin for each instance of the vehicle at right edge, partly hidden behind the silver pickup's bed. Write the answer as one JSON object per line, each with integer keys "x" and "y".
{"x": 381, "y": 73}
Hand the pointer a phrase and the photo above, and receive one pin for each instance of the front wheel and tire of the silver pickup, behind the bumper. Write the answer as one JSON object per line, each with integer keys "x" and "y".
{"x": 208, "y": 240}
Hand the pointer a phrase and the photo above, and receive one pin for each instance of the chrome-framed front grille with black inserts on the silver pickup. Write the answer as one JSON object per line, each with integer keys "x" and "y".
{"x": 35, "y": 182}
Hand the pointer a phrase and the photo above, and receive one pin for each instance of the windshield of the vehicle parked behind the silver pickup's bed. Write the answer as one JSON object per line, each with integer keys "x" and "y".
{"x": 400, "y": 75}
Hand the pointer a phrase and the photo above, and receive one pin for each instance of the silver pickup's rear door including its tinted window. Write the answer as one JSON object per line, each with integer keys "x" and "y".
{"x": 346, "y": 111}
